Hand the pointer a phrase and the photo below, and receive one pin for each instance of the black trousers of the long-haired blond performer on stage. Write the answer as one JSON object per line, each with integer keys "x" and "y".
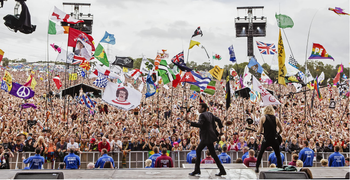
{"x": 273, "y": 142}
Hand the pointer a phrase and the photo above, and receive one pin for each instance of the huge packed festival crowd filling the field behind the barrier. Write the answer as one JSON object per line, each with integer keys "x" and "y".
{"x": 159, "y": 121}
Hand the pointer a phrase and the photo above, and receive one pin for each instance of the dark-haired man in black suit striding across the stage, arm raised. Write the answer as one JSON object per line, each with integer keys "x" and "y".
{"x": 208, "y": 135}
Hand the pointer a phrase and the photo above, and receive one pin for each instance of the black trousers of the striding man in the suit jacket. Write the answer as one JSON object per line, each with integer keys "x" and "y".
{"x": 211, "y": 149}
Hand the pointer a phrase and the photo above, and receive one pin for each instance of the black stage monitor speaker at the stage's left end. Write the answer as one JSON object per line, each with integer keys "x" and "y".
{"x": 39, "y": 175}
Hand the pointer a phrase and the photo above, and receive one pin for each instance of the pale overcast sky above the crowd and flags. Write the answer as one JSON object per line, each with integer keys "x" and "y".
{"x": 145, "y": 27}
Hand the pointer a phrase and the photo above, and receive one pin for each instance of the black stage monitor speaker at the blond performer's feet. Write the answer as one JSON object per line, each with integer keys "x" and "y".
{"x": 282, "y": 175}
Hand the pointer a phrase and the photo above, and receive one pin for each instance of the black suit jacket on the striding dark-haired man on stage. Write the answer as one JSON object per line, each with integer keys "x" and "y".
{"x": 206, "y": 123}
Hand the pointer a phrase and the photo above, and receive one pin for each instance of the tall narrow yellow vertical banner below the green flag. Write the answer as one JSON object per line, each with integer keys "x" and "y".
{"x": 282, "y": 71}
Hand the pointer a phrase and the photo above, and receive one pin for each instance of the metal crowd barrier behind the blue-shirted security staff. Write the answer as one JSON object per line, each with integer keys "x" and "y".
{"x": 136, "y": 159}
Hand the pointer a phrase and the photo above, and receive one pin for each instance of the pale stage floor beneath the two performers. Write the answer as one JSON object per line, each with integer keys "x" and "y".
{"x": 233, "y": 172}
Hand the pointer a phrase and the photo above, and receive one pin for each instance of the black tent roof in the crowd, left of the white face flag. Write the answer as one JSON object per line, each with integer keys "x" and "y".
{"x": 74, "y": 90}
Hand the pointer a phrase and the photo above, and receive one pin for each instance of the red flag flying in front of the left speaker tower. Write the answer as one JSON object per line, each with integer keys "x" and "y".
{"x": 75, "y": 34}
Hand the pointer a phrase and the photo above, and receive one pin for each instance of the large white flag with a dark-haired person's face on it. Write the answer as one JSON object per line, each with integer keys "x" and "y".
{"x": 121, "y": 97}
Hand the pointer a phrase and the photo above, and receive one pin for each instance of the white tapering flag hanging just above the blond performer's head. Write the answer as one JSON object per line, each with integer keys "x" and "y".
{"x": 266, "y": 96}
